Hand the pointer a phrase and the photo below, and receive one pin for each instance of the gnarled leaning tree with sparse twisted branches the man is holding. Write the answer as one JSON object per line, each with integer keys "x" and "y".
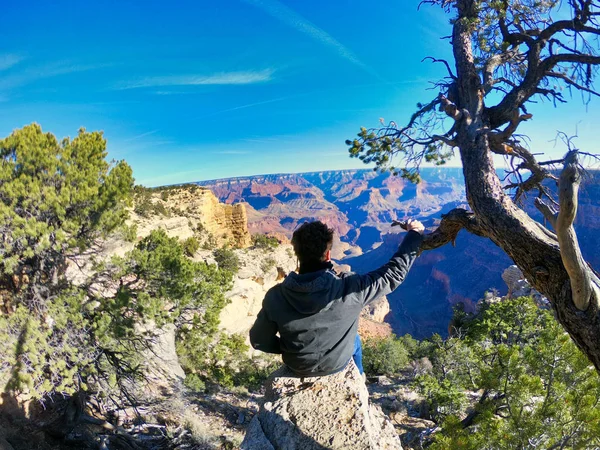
{"x": 506, "y": 55}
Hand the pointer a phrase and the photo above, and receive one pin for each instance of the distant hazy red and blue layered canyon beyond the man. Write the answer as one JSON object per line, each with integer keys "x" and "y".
{"x": 360, "y": 206}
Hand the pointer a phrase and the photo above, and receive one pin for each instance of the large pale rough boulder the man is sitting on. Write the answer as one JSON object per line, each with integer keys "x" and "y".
{"x": 318, "y": 413}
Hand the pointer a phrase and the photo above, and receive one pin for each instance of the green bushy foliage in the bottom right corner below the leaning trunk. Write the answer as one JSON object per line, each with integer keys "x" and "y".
{"x": 537, "y": 390}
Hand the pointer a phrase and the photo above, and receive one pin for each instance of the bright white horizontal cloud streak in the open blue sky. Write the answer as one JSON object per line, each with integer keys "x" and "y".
{"x": 223, "y": 78}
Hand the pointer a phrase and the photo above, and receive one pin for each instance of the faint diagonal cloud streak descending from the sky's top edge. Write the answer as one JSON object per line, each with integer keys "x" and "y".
{"x": 290, "y": 17}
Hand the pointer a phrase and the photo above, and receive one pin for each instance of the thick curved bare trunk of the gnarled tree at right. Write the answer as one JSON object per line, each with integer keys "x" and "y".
{"x": 534, "y": 249}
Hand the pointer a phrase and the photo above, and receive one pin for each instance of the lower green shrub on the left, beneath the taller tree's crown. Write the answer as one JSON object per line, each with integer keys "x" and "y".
{"x": 85, "y": 340}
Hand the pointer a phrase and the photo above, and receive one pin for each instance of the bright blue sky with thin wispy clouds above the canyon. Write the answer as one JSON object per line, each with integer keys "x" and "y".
{"x": 200, "y": 90}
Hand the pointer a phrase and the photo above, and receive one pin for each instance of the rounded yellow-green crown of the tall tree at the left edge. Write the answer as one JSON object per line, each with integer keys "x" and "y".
{"x": 56, "y": 197}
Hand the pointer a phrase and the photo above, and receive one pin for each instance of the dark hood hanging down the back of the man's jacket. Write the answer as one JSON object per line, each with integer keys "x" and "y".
{"x": 311, "y": 292}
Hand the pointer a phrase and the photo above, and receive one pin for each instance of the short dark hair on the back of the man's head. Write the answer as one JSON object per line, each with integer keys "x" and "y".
{"x": 311, "y": 241}
